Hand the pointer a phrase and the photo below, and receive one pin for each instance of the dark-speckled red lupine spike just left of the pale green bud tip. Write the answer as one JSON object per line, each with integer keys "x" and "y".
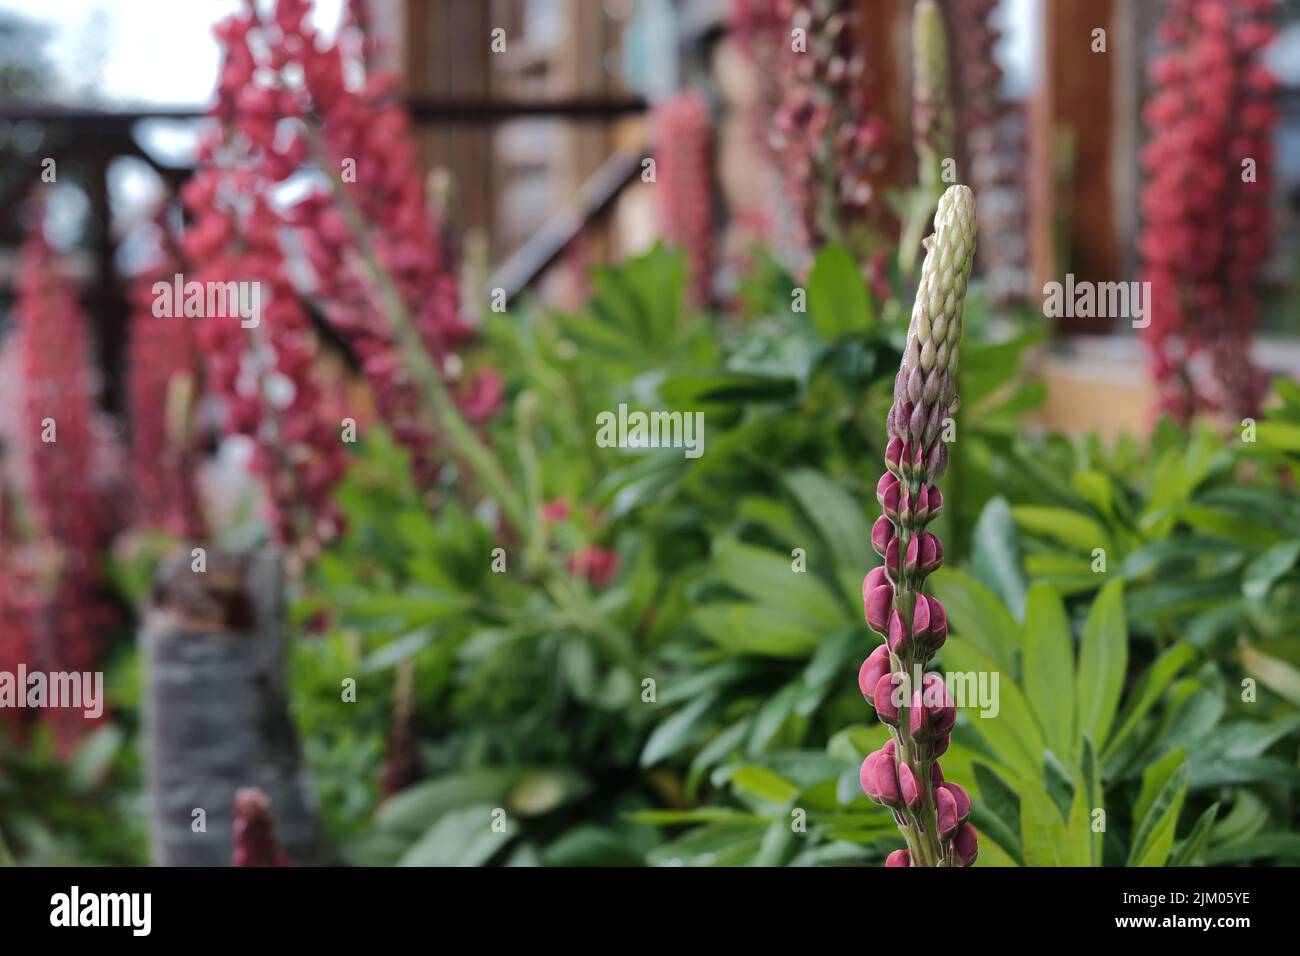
{"x": 827, "y": 128}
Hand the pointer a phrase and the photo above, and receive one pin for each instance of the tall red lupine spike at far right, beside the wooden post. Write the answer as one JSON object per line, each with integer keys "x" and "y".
{"x": 1207, "y": 204}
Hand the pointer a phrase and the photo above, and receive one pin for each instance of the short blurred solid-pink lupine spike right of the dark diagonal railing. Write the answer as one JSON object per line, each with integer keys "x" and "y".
{"x": 683, "y": 165}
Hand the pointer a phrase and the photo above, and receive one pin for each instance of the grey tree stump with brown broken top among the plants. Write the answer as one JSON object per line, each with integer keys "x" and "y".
{"x": 216, "y": 715}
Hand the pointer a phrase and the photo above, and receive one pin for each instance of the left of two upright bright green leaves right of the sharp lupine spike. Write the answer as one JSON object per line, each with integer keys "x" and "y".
{"x": 1050, "y": 668}
